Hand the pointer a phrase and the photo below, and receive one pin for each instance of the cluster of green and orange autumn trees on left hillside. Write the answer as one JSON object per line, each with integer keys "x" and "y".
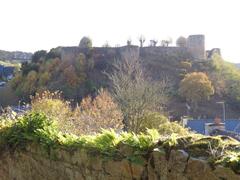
{"x": 48, "y": 72}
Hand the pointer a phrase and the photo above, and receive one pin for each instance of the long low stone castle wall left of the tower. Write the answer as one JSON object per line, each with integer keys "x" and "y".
{"x": 102, "y": 53}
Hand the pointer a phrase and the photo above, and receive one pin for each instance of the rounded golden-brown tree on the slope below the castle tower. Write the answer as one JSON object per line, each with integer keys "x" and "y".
{"x": 196, "y": 87}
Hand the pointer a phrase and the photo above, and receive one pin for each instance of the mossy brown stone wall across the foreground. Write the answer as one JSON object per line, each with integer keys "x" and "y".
{"x": 36, "y": 164}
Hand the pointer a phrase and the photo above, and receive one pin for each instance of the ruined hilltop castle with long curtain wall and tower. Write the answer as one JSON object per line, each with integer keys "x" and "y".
{"x": 193, "y": 50}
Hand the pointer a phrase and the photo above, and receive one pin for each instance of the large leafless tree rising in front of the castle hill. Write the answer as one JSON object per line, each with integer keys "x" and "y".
{"x": 135, "y": 93}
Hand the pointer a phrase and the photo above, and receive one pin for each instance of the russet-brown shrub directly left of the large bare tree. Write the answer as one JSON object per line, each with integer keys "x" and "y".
{"x": 99, "y": 113}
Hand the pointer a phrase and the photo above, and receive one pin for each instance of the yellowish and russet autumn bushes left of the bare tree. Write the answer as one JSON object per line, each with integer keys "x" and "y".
{"x": 91, "y": 116}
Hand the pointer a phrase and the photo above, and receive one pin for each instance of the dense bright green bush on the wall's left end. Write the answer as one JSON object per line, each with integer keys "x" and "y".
{"x": 32, "y": 127}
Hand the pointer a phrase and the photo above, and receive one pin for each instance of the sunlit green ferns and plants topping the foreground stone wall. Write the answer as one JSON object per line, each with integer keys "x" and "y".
{"x": 38, "y": 128}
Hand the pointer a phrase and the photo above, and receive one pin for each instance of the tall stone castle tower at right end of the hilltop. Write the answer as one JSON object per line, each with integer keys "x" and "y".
{"x": 196, "y": 46}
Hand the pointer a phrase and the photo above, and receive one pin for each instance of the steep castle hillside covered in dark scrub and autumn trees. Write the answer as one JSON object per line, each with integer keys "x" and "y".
{"x": 78, "y": 72}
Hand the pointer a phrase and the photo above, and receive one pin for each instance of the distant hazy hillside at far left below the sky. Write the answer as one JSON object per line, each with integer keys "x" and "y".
{"x": 15, "y": 55}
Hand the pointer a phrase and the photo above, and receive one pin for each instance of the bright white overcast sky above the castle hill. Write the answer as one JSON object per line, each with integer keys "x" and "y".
{"x": 31, "y": 25}
